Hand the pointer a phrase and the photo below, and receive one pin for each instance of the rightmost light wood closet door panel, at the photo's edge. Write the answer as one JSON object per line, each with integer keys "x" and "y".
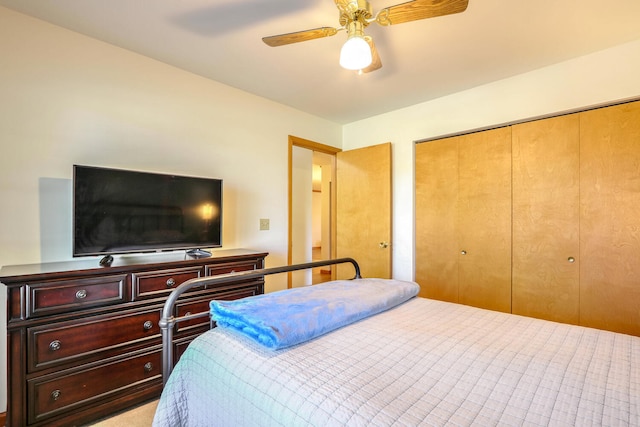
{"x": 610, "y": 218}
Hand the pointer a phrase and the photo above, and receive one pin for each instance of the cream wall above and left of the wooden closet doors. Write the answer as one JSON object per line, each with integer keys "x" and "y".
{"x": 603, "y": 77}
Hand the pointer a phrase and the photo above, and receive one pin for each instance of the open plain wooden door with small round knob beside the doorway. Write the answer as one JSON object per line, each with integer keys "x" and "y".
{"x": 363, "y": 205}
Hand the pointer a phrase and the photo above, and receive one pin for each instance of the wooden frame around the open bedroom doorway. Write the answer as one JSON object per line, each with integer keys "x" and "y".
{"x": 295, "y": 141}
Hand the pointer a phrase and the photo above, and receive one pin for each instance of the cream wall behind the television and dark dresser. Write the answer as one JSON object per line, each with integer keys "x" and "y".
{"x": 66, "y": 98}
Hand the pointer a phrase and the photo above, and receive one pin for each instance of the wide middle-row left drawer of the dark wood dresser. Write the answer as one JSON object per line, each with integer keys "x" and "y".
{"x": 67, "y": 341}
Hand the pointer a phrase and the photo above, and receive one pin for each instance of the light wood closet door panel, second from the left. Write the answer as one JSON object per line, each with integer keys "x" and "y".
{"x": 484, "y": 219}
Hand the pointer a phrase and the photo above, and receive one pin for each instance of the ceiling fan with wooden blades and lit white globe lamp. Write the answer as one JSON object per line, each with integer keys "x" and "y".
{"x": 359, "y": 52}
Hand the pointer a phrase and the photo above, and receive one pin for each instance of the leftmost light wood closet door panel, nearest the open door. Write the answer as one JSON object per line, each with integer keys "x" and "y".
{"x": 436, "y": 219}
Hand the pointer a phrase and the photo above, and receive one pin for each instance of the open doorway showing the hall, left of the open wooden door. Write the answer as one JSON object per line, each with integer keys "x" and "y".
{"x": 311, "y": 208}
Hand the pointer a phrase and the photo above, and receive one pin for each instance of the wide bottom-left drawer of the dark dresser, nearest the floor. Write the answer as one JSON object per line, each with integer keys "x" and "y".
{"x": 54, "y": 394}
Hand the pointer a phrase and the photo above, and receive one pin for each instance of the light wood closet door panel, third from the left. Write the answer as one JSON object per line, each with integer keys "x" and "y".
{"x": 546, "y": 219}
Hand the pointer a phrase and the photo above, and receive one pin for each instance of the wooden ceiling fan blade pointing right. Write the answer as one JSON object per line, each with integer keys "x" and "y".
{"x": 419, "y": 9}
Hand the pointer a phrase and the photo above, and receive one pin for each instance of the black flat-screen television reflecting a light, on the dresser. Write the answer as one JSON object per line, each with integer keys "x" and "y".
{"x": 119, "y": 211}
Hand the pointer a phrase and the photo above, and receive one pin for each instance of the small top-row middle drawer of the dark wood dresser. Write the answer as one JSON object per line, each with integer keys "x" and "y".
{"x": 151, "y": 284}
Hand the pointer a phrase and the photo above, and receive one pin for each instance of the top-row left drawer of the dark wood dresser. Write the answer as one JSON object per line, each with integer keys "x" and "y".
{"x": 69, "y": 295}
